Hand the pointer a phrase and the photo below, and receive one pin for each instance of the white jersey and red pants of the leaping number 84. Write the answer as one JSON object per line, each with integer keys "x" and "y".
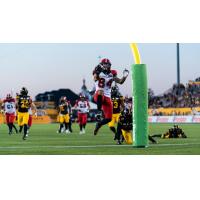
{"x": 104, "y": 83}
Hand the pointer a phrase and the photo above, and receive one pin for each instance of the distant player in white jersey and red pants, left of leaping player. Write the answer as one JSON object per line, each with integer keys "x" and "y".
{"x": 83, "y": 106}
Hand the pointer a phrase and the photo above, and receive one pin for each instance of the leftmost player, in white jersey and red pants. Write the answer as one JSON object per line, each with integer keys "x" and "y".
{"x": 9, "y": 107}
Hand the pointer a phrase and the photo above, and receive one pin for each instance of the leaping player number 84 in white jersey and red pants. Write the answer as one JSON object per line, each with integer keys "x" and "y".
{"x": 104, "y": 77}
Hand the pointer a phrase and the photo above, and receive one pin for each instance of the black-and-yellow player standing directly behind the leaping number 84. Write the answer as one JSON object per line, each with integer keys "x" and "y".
{"x": 118, "y": 105}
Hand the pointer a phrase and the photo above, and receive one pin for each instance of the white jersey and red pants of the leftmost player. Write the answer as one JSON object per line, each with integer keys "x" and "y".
{"x": 10, "y": 110}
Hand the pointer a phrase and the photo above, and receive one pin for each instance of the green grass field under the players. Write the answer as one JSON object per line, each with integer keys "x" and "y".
{"x": 43, "y": 140}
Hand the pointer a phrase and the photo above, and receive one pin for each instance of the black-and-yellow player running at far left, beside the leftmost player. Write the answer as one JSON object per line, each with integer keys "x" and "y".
{"x": 24, "y": 102}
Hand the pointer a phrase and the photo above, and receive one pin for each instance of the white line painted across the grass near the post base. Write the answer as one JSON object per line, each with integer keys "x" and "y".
{"x": 94, "y": 146}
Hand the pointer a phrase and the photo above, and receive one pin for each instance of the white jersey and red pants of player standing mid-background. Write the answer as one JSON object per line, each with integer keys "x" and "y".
{"x": 83, "y": 108}
